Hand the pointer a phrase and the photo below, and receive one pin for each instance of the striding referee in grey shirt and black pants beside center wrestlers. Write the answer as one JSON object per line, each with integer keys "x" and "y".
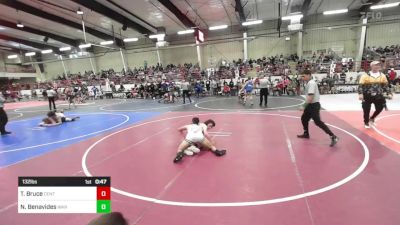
{"x": 312, "y": 109}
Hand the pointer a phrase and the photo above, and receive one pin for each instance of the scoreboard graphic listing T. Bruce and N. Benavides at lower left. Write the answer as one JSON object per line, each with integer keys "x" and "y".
{"x": 64, "y": 195}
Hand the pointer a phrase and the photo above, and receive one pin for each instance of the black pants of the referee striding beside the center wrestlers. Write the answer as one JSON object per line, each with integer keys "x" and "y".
{"x": 312, "y": 112}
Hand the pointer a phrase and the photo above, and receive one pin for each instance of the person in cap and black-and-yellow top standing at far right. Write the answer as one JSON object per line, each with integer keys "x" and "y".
{"x": 372, "y": 89}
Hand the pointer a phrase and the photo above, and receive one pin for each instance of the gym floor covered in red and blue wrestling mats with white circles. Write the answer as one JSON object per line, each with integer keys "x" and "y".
{"x": 268, "y": 175}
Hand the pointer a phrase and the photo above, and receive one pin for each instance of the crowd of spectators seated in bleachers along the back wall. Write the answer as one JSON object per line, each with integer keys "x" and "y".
{"x": 159, "y": 81}
